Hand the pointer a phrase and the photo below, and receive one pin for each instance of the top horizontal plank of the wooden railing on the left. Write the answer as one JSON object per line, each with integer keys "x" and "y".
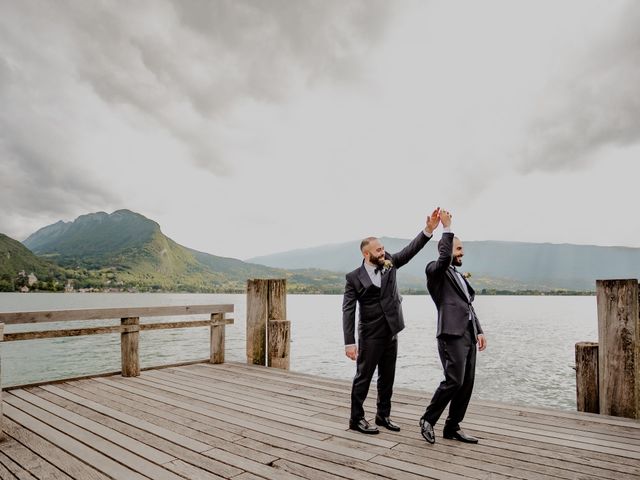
{"x": 13, "y": 318}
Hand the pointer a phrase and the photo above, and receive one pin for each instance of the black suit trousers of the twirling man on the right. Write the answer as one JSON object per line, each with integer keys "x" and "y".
{"x": 458, "y": 357}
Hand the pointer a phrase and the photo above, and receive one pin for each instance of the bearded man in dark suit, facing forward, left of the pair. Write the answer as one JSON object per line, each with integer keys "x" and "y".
{"x": 373, "y": 287}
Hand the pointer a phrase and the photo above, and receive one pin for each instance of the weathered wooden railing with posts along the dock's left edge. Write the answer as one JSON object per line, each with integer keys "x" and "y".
{"x": 129, "y": 329}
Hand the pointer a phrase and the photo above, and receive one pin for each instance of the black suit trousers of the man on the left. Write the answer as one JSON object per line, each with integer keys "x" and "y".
{"x": 374, "y": 353}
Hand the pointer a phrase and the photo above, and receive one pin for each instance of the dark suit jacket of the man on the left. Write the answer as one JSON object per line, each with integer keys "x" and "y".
{"x": 380, "y": 309}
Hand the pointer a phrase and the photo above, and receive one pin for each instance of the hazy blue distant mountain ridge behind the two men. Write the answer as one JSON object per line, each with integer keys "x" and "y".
{"x": 494, "y": 265}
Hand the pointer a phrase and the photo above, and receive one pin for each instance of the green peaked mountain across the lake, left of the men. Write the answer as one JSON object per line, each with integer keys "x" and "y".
{"x": 127, "y": 250}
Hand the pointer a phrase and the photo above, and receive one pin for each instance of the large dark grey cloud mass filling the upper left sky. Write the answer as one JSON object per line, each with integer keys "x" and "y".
{"x": 180, "y": 66}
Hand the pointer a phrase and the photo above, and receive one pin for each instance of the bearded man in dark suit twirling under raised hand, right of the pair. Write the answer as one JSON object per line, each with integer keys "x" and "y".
{"x": 458, "y": 333}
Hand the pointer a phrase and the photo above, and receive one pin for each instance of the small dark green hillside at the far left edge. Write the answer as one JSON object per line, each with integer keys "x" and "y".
{"x": 15, "y": 258}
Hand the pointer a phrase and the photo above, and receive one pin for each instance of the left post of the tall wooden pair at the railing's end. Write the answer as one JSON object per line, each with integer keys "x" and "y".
{"x": 257, "y": 302}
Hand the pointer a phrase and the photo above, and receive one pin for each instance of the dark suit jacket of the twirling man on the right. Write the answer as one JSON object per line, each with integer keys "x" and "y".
{"x": 453, "y": 306}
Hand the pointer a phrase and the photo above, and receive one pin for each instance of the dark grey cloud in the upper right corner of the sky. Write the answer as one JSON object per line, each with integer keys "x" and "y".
{"x": 597, "y": 107}
